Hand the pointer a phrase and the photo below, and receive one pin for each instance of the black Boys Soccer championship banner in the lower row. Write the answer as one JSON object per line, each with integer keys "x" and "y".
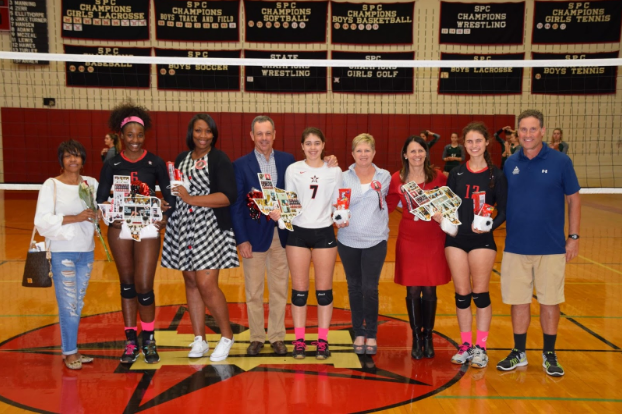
{"x": 194, "y": 77}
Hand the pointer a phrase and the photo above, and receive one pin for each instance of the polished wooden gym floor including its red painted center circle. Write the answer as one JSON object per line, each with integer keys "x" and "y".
{"x": 33, "y": 378}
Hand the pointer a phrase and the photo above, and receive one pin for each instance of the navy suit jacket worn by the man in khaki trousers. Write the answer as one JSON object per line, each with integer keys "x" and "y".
{"x": 258, "y": 233}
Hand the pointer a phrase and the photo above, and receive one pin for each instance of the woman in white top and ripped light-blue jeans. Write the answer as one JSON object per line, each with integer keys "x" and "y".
{"x": 68, "y": 229}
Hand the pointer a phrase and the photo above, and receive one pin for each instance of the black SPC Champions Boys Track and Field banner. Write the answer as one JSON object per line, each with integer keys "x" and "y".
{"x": 197, "y": 21}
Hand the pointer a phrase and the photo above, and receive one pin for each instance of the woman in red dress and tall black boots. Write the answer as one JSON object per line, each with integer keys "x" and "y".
{"x": 420, "y": 263}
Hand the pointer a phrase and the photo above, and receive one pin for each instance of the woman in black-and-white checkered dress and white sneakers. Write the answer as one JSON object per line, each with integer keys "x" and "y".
{"x": 199, "y": 240}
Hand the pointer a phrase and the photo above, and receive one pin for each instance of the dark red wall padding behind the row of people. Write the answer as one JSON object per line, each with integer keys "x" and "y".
{"x": 31, "y": 136}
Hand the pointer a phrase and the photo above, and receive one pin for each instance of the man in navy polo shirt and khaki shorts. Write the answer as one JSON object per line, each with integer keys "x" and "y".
{"x": 540, "y": 180}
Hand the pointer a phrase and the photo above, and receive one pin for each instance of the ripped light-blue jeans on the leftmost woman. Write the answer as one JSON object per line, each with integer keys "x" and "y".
{"x": 72, "y": 271}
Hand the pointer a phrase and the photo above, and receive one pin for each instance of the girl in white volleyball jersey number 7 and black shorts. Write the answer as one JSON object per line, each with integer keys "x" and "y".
{"x": 313, "y": 237}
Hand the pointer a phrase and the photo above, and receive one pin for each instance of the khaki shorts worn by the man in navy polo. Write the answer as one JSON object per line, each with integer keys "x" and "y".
{"x": 518, "y": 274}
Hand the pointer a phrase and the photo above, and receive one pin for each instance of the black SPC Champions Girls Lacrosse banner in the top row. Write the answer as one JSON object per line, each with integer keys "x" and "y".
{"x": 106, "y": 19}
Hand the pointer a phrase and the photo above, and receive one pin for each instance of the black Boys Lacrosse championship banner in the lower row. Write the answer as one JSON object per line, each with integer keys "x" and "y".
{"x": 481, "y": 81}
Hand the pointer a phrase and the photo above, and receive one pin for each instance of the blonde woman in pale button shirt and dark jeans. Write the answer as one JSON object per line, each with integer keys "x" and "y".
{"x": 362, "y": 243}
